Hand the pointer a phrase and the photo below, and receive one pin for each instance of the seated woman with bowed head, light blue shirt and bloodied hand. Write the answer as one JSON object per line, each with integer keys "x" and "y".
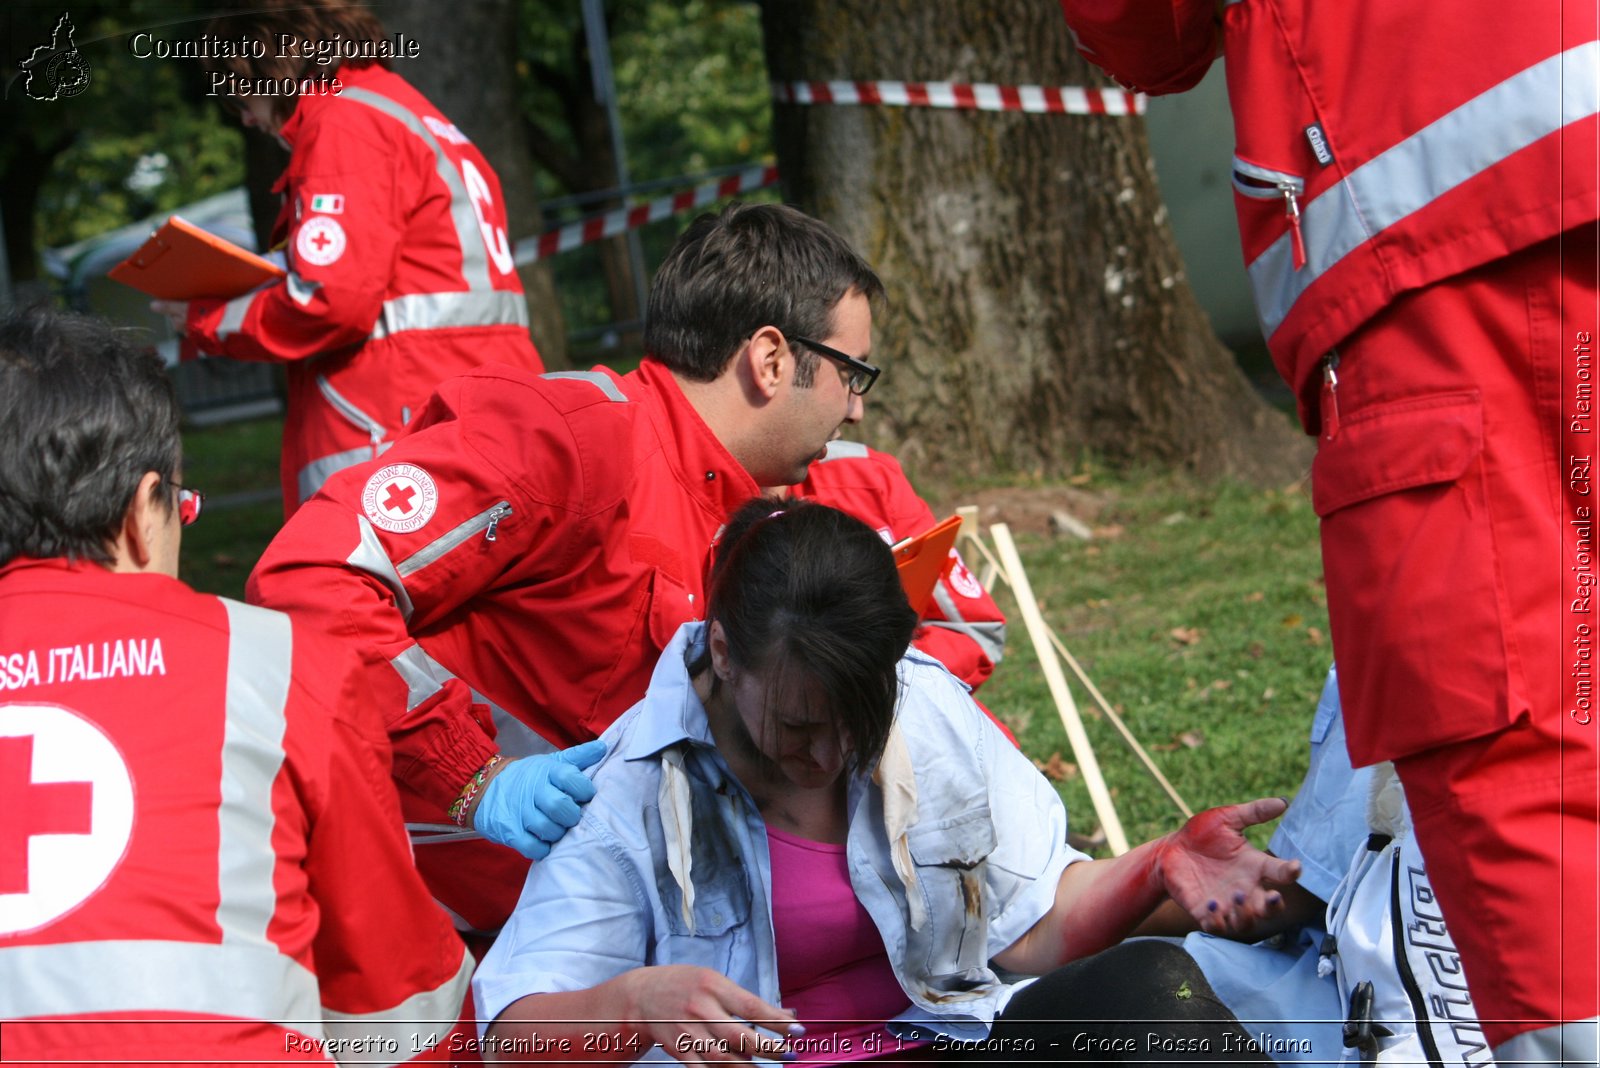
{"x": 806, "y": 813}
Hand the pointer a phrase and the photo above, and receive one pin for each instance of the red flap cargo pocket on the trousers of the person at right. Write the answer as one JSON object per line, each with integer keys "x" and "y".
{"x": 1414, "y": 594}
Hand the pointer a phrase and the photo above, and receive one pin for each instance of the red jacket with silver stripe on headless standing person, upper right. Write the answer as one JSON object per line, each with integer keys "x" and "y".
{"x": 1380, "y": 145}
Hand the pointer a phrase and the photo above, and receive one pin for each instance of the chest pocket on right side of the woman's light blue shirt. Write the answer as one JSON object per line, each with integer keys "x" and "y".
{"x": 951, "y": 861}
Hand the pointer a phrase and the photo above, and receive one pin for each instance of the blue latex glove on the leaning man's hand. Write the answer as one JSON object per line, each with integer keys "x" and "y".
{"x": 535, "y": 800}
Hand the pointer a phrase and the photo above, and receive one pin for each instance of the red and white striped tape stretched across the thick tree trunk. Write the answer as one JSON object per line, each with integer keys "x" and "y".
{"x": 1055, "y": 100}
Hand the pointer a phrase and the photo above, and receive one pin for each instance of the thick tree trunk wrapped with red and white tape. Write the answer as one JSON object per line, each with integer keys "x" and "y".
{"x": 1038, "y": 300}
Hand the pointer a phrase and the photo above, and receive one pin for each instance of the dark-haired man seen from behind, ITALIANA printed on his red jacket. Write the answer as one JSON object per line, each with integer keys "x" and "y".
{"x": 201, "y": 855}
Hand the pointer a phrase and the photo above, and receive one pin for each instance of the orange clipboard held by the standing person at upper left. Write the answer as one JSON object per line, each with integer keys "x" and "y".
{"x": 185, "y": 263}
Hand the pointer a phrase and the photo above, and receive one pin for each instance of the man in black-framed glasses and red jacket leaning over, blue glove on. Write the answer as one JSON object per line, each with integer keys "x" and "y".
{"x": 516, "y": 565}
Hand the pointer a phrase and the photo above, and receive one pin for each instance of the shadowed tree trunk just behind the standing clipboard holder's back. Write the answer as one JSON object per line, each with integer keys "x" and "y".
{"x": 468, "y": 70}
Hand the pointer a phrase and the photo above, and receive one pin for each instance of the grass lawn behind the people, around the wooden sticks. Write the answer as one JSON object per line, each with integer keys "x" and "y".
{"x": 1198, "y": 610}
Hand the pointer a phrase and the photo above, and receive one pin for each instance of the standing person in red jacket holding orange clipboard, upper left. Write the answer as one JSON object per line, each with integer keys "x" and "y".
{"x": 394, "y": 228}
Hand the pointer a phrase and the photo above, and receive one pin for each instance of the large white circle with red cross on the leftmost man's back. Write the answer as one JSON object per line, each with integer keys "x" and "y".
{"x": 68, "y": 803}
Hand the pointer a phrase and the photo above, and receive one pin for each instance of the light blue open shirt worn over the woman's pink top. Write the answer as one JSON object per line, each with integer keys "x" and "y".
{"x": 606, "y": 901}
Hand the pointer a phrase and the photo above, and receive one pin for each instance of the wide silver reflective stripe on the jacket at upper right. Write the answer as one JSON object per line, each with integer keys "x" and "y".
{"x": 1425, "y": 167}
